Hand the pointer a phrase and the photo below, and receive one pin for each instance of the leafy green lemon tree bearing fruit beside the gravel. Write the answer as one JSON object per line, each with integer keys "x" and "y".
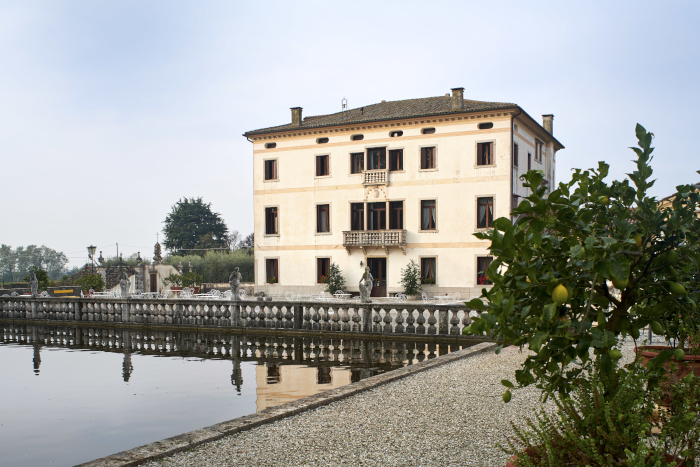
{"x": 554, "y": 268}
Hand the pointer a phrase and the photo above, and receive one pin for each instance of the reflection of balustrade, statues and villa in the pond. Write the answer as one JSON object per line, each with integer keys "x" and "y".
{"x": 288, "y": 368}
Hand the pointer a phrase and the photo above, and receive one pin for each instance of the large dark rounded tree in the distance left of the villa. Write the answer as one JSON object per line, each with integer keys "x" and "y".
{"x": 192, "y": 224}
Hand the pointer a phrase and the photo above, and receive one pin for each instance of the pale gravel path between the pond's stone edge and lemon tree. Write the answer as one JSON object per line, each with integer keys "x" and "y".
{"x": 448, "y": 416}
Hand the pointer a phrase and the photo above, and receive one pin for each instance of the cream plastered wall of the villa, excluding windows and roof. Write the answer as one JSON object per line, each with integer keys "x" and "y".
{"x": 455, "y": 185}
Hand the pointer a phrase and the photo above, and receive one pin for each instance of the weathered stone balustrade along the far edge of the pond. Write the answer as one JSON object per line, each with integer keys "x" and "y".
{"x": 351, "y": 316}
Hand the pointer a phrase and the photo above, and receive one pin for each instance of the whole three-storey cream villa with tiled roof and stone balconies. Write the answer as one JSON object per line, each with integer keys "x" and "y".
{"x": 388, "y": 183}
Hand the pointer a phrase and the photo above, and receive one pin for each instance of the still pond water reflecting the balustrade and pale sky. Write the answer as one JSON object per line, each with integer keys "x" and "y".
{"x": 72, "y": 394}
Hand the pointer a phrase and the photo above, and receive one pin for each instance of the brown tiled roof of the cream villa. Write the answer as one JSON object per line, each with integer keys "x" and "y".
{"x": 388, "y": 111}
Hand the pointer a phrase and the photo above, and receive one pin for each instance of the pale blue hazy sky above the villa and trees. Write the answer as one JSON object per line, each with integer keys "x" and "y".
{"x": 112, "y": 111}
